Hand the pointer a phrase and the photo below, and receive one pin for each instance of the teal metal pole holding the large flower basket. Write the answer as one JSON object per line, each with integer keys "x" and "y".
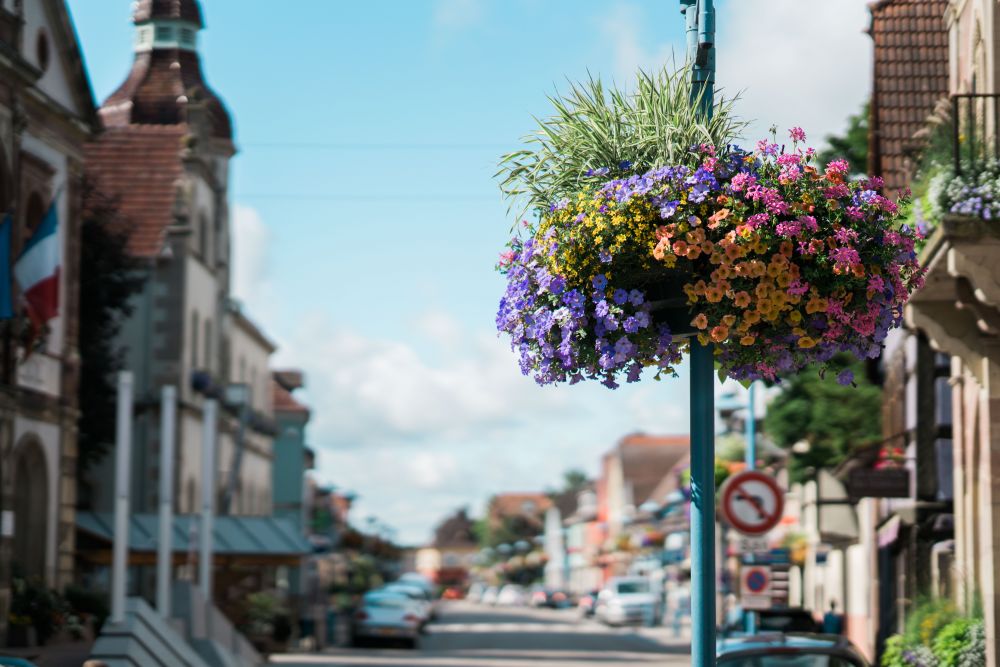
{"x": 700, "y": 26}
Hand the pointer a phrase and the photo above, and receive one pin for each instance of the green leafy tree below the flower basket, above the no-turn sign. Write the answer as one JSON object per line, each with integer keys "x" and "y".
{"x": 833, "y": 418}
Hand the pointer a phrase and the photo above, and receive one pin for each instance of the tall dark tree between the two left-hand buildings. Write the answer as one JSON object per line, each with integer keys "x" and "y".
{"x": 108, "y": 281}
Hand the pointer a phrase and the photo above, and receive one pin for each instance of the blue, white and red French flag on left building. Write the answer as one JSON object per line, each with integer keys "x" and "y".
{"x": 37, "y": 269}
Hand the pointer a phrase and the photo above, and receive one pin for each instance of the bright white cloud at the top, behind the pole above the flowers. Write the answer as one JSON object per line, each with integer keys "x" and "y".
{"x": 795, "y": 62}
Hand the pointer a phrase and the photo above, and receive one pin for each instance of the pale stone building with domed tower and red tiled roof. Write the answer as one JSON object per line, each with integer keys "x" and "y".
{"x": 164, "y": 152}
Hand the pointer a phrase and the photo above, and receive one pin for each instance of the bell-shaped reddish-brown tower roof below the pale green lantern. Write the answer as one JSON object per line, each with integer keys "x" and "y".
{"x": 157, "y": 91}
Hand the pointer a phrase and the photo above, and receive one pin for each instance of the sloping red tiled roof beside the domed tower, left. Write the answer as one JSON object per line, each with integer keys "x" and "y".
{"x": 140, "y": 165}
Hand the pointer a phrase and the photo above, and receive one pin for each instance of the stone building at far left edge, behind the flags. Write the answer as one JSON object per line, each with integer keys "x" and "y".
{"x": 46, "y": 115}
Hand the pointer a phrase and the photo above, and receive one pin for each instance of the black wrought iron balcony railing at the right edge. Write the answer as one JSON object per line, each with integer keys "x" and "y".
{"x": 975, "y": 121}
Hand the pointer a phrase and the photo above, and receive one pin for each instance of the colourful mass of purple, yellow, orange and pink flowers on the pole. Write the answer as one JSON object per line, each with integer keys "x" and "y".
{"x": 776, "y": 262}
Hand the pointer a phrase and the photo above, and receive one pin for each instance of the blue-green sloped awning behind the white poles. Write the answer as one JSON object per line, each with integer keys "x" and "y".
{"x": 252, "y": 537}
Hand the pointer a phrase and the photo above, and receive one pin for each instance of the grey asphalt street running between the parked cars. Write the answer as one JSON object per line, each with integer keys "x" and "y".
{"x": 467, "y": 635}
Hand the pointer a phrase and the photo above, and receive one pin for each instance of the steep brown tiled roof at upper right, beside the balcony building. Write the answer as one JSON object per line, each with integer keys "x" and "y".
{"x": 910, "y": 77}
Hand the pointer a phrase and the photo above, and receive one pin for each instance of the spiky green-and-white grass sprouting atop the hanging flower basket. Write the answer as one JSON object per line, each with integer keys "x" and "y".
{"x": 595, "y": 127}
